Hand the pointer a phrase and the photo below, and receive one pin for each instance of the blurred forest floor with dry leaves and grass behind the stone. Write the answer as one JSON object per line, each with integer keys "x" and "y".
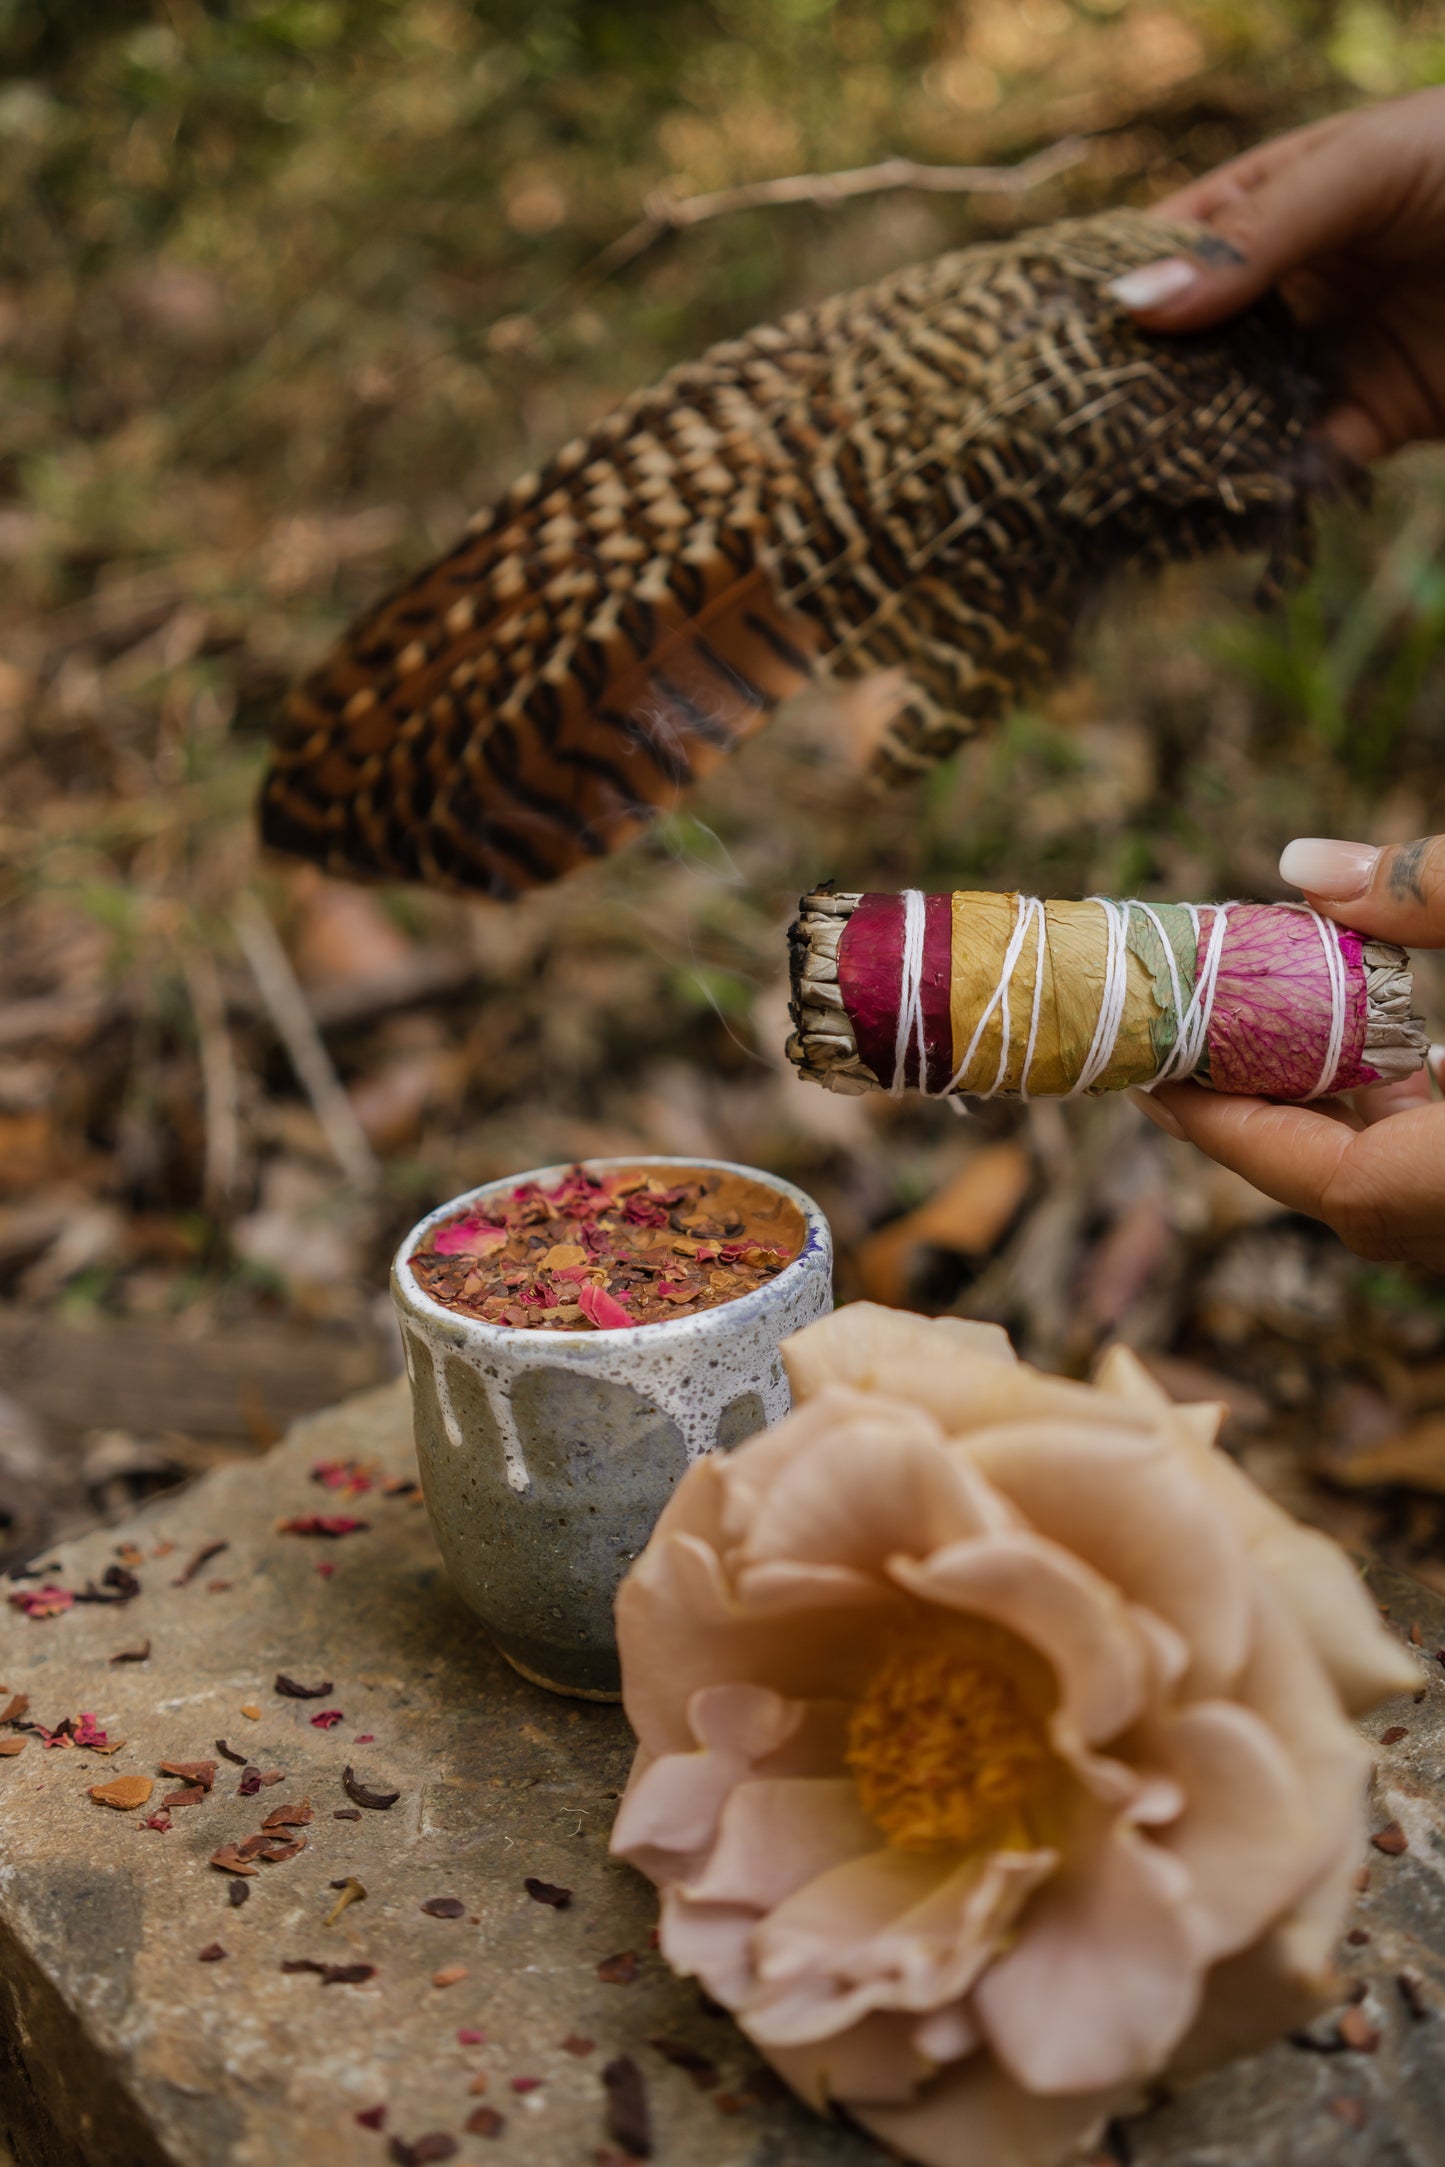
{"x": 287, "y": 289}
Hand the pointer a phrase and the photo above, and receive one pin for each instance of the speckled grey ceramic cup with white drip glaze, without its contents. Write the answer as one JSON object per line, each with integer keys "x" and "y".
{"x": 547, "y": 1457}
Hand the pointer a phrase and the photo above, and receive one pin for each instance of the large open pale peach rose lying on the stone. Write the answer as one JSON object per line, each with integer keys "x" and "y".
{"x": 993, "y": 1739}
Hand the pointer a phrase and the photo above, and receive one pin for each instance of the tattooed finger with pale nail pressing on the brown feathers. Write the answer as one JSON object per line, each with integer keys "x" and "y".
{"x": 1333, "y": 192}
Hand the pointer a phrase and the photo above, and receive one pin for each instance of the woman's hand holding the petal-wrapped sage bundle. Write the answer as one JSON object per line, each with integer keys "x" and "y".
{"x": 1370, "y": 1167}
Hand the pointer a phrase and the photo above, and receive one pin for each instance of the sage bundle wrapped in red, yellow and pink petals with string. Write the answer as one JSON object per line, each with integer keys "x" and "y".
{"x": 1013, "y": 998}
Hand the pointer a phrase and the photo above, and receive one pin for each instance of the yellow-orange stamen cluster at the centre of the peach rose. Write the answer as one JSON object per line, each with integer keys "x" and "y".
{"x": 950, "y": 1743}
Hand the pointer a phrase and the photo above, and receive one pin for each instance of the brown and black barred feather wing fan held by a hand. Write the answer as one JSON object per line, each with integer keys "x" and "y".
{"x": 933, "y": 473}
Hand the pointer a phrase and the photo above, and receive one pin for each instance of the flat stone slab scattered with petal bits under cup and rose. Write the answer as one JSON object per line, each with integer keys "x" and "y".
{"x": 122, "y": 2049}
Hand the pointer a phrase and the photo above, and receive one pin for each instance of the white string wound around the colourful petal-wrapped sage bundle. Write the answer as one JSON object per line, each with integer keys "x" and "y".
{"x": 1193, "y": 1017}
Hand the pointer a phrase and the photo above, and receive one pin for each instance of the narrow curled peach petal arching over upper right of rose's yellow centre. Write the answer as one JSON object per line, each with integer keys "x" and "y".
{"x": 1054, "y": 1602}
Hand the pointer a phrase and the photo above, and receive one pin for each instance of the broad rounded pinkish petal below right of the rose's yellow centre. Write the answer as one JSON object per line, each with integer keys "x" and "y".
{"x": 1106, "y": 1980}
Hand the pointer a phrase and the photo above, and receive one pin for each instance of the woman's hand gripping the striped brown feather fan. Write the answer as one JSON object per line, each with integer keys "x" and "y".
{"x": 1349, "y": 222}
